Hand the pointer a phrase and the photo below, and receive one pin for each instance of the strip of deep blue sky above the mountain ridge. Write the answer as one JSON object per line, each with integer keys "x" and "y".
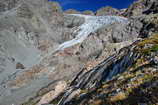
{"x": 93, "y": 5}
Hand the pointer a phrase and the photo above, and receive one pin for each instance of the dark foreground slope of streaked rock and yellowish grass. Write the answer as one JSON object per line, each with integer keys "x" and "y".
{"x": 99, "y": 83}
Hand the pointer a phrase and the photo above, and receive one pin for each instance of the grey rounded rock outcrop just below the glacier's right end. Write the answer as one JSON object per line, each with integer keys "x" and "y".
{"x": 128, "y": 31}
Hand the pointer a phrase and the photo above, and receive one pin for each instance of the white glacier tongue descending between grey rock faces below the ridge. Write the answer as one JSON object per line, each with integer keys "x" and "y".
{"x": 92, "y": 24}
